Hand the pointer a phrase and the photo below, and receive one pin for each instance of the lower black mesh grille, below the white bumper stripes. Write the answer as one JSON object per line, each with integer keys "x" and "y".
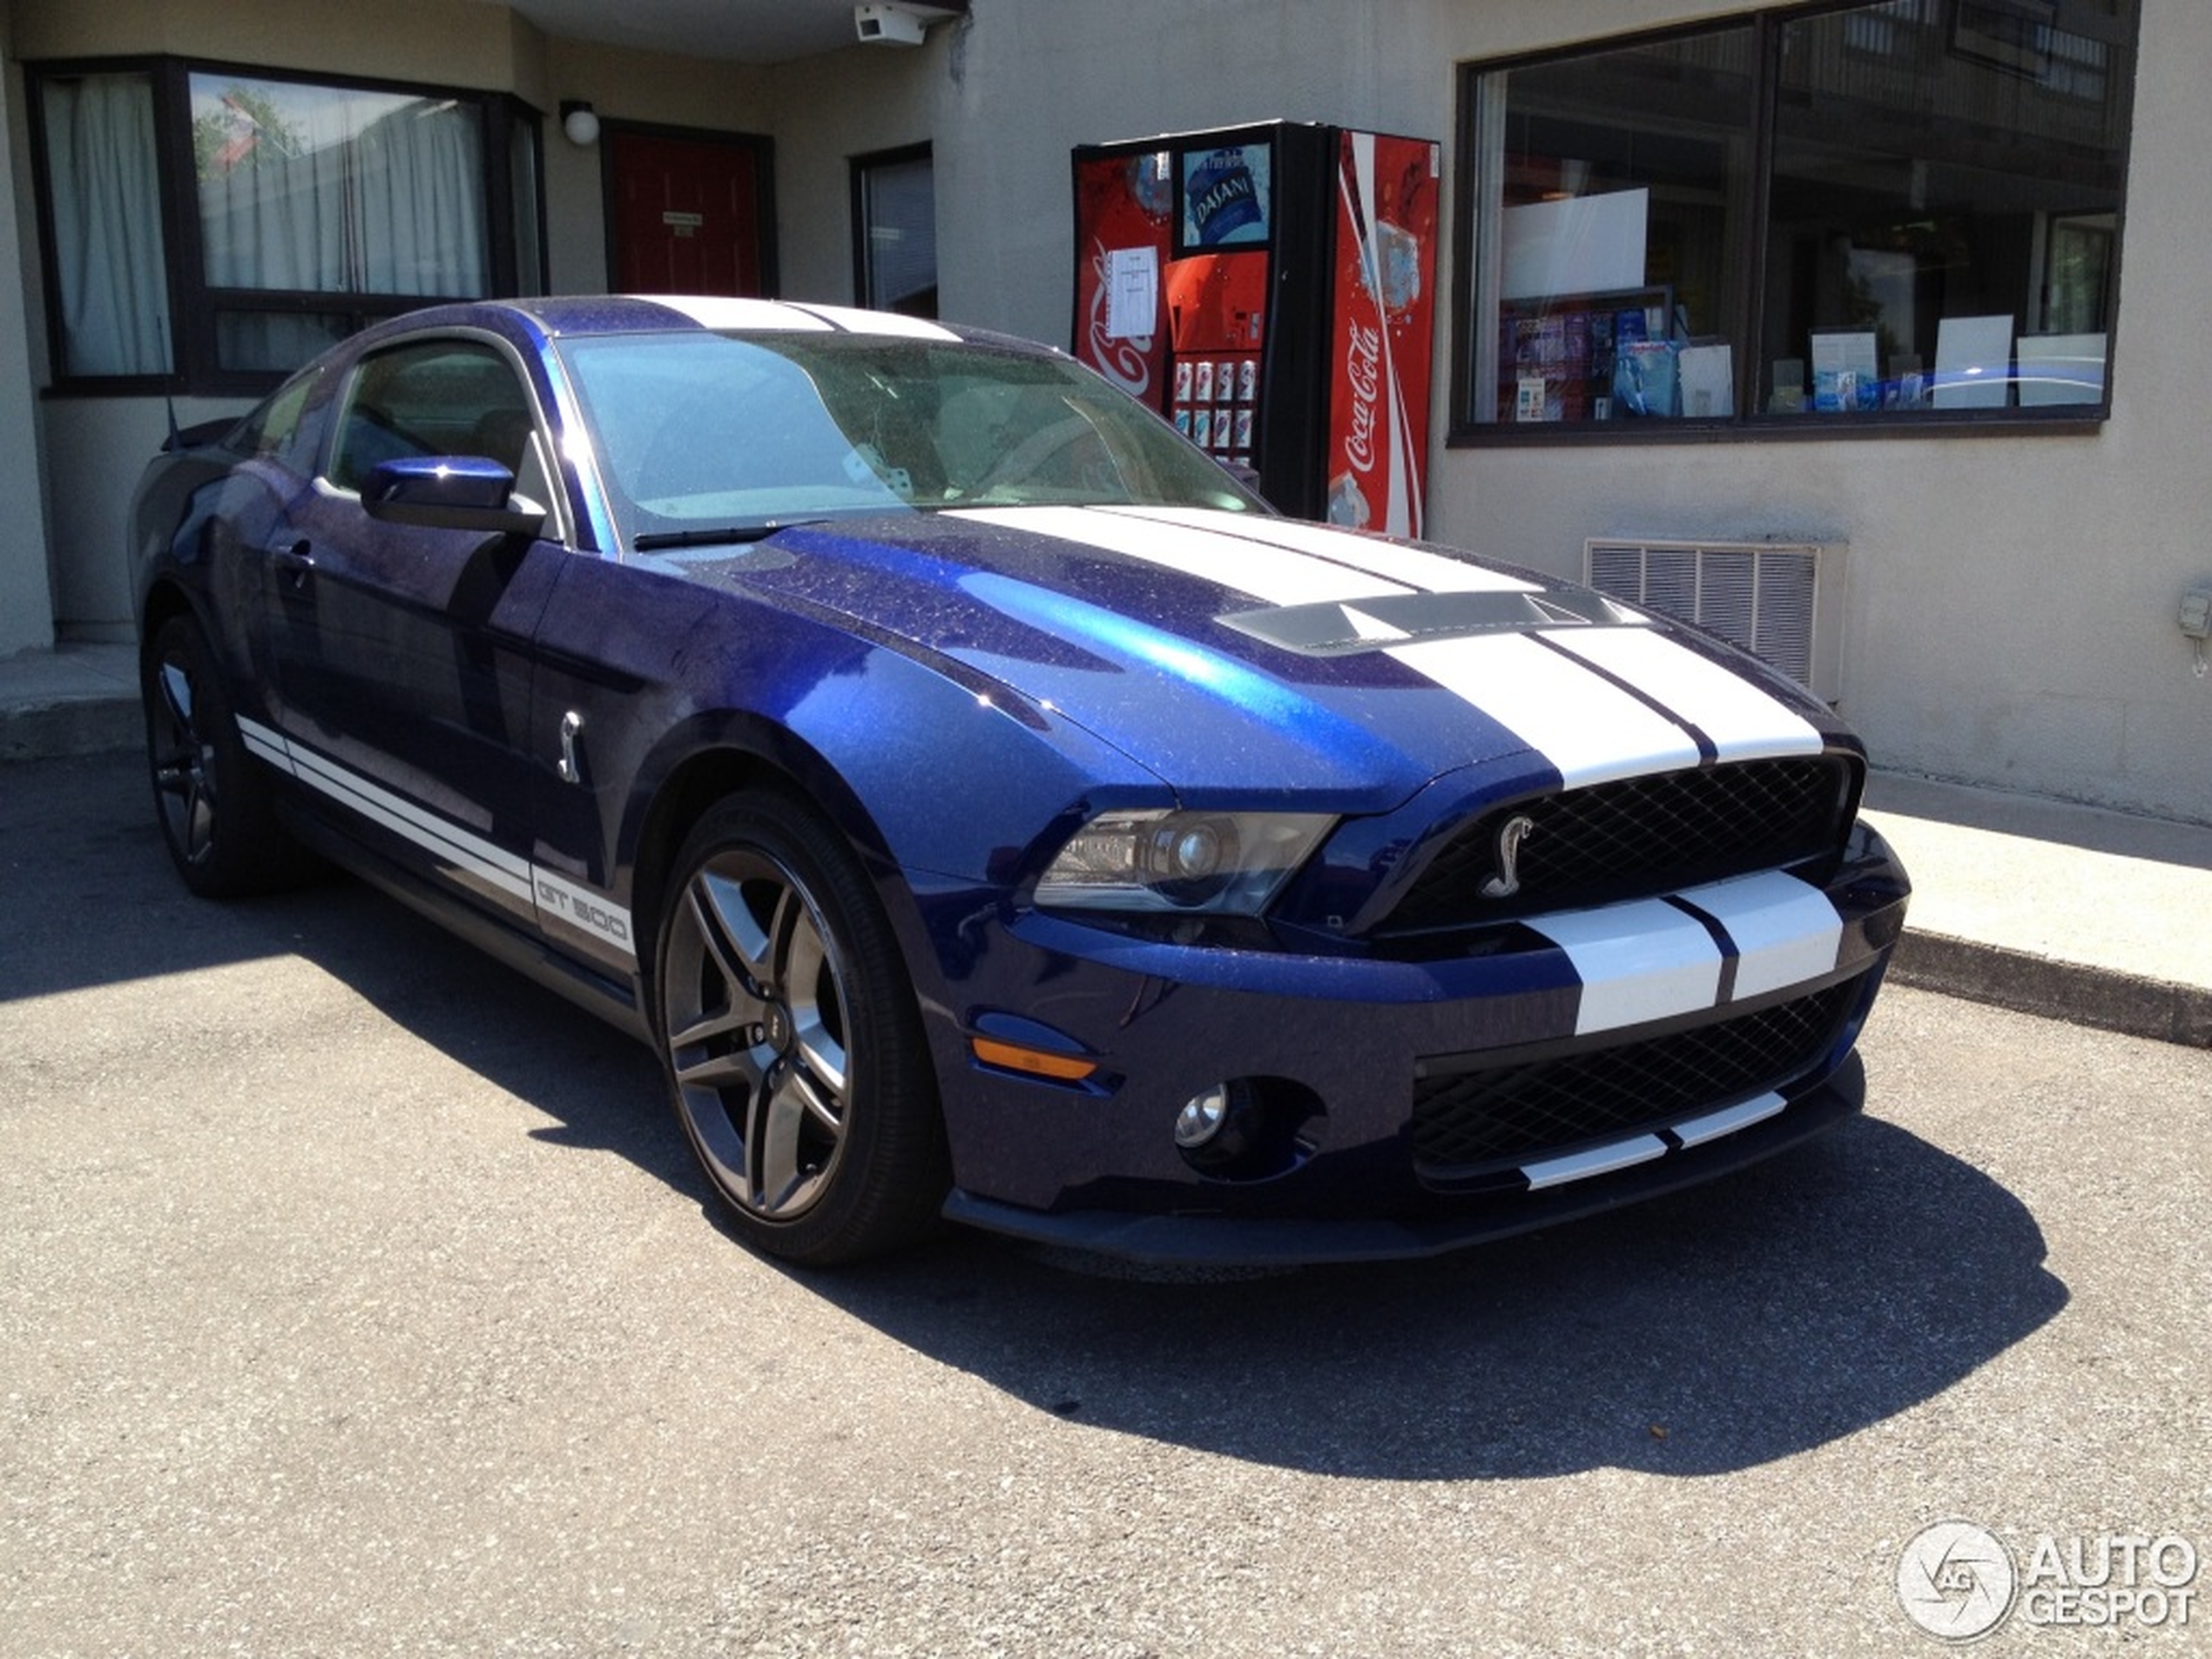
{"x": 1472, "y": 1123}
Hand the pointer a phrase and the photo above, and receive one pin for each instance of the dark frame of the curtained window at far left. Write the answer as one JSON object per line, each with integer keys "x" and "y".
{"x": 194, "y": 302}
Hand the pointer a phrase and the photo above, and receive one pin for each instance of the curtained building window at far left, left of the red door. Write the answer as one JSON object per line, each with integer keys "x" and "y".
{"x": 218, "y": 229}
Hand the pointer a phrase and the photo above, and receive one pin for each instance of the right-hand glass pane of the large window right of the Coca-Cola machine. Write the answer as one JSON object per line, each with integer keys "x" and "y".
{"x": 1930, "y": 205}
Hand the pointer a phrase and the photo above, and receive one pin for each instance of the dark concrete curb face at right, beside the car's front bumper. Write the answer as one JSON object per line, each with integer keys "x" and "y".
{"x": 2074, "y": 992}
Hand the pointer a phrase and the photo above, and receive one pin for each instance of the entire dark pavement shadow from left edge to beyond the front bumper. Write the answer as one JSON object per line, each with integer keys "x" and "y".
{"x": 1711, "y": 1331}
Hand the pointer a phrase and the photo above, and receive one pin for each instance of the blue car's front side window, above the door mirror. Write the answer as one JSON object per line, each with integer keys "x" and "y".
{"x": 439, "y": 399}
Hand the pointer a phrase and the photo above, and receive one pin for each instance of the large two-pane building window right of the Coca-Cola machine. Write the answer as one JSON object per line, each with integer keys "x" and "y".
{"x": 1870, "y": 216}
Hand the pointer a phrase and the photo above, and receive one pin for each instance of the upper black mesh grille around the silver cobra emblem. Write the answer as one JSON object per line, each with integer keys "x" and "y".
{"x": 1636, "y": 837}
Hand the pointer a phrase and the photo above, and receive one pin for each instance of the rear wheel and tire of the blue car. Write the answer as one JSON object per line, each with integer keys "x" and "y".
{"x": 211, "y": 797}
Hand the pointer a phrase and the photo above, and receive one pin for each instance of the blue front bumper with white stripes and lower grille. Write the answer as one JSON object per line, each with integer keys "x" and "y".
{"x": 1359, "y": 1058}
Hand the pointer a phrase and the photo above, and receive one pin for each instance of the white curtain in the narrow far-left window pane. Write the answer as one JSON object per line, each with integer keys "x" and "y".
{"x": 107, "y": 225}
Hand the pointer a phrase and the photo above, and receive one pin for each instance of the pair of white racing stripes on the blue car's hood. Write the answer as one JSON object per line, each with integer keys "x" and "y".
{"x": 1561, "y": 707}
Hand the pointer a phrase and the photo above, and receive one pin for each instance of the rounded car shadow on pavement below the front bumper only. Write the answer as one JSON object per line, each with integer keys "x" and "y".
{"x": 1711, "y": 1331}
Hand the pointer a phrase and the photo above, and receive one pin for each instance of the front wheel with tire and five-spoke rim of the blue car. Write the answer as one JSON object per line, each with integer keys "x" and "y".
{"x": 791, "y": 1039}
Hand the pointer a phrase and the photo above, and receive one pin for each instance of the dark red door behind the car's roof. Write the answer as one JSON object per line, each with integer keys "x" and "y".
{"x": 687, "y": 216}
